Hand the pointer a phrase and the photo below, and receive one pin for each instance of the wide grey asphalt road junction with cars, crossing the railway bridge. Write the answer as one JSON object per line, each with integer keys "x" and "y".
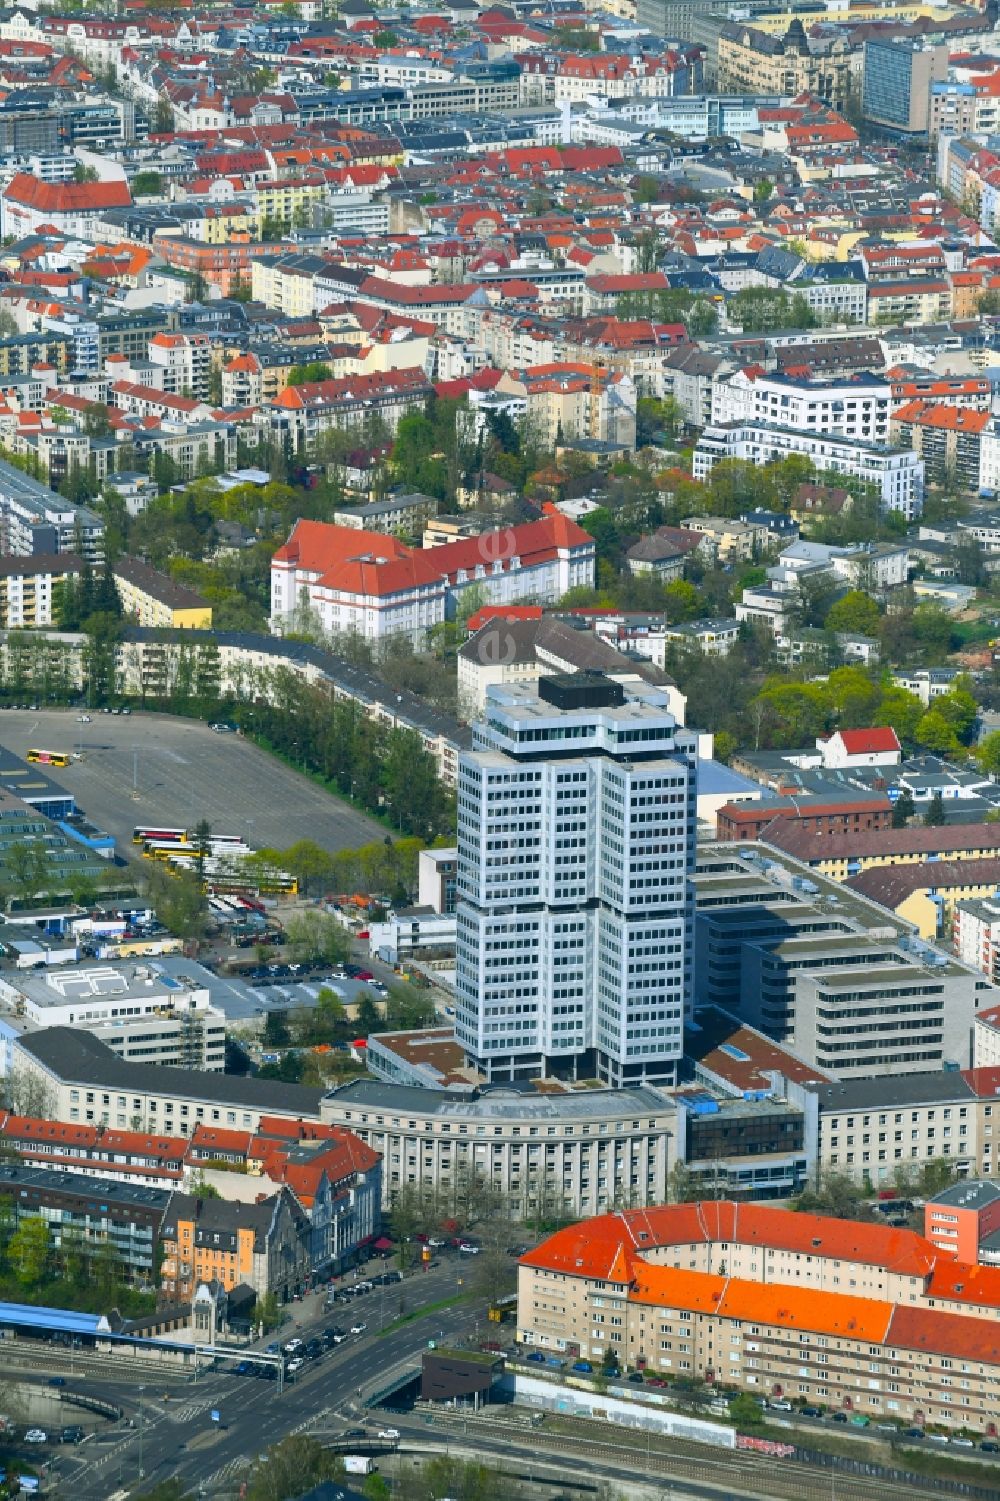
{"x": 179, "y": 1437}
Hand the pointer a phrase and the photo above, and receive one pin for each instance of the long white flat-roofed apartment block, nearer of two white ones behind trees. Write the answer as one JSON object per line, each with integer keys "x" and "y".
{"x": 897, "y": 474}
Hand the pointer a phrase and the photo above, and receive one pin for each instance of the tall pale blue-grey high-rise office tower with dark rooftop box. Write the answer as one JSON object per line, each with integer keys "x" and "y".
{"x": 576, "y": 840}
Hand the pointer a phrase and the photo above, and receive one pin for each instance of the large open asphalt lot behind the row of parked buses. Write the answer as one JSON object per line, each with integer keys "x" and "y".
{"x": 145, "y": 769}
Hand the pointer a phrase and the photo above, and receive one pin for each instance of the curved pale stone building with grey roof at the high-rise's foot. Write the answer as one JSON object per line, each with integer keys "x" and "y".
{"x": 555, "y": 1152}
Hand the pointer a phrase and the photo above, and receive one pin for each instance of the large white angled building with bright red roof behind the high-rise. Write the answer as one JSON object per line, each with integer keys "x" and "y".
{"x": 373, "y": 586}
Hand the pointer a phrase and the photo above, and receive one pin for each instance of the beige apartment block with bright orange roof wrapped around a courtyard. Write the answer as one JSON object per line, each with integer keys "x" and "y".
{"x": 777, "y": 1305}
